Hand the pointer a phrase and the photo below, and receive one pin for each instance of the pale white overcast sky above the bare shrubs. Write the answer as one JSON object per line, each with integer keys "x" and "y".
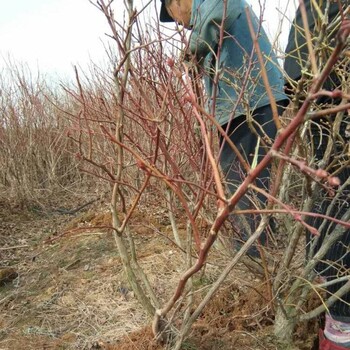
{"x": 53, "y": 35}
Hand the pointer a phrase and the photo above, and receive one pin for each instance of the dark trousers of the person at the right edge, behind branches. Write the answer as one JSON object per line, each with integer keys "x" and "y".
{"x": 336, "y": 262}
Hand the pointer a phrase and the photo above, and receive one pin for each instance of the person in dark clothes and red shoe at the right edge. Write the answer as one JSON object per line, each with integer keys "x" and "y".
{"x": 325, "y": 140}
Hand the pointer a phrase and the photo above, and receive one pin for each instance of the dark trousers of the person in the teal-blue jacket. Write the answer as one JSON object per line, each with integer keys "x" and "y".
{"x": 246, "y": 136}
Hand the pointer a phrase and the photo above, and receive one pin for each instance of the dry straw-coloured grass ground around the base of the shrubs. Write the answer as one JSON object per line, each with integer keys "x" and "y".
{"x": 72, "y": 292}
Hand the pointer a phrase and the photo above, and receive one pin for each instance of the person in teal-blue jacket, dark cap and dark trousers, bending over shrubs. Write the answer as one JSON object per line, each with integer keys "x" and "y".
{"x": 239, "y": 98}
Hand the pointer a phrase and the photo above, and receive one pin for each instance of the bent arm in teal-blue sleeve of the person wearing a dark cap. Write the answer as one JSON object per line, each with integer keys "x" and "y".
{"x": 207, "y": 19}
